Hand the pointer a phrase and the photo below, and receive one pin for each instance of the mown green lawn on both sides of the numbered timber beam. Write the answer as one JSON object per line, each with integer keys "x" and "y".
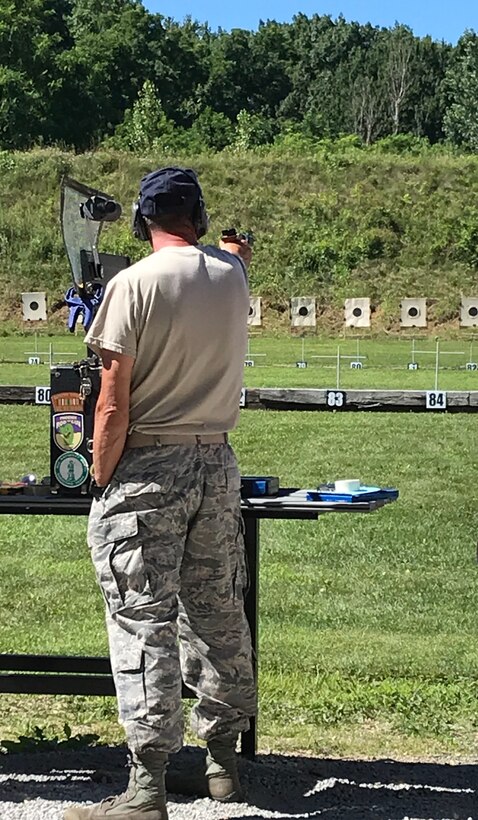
{"x": 368, "y": 640}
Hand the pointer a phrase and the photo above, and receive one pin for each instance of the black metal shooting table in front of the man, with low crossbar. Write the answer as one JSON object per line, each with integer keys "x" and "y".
{"x": 76, "y": 675}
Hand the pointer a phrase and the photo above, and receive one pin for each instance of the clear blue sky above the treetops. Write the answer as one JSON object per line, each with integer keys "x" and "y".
{"x": 442, "y": 19}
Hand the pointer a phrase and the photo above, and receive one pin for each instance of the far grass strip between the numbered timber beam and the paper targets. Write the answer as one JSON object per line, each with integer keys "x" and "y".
{"x": 275, "y": 360}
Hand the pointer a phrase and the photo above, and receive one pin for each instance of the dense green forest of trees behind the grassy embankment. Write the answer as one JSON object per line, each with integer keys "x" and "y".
{"x": 77, "y": 73}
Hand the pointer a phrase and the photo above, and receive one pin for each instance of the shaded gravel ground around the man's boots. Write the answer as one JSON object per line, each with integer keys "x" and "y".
{"x": 39, "y": 786}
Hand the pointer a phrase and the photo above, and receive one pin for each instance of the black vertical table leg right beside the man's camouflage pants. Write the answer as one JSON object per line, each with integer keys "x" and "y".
{"x": 251, "y": 540}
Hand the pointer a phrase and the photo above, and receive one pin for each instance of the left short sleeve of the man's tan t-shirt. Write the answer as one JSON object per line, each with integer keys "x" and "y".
{"x": 114, "y": 326}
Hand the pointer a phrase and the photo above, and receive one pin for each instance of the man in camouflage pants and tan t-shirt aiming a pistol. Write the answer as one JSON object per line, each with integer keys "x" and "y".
{"x": 166, "y": 533}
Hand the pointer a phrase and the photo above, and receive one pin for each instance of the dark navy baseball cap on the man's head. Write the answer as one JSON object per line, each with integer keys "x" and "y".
{"x": 169, "y": 189}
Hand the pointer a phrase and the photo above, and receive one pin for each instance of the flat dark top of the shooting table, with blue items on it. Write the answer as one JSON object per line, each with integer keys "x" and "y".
{"x": 290, "y": 504}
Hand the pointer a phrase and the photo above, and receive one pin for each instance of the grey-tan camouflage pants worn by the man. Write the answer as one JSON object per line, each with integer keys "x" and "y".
{"x": 167, "y": 545}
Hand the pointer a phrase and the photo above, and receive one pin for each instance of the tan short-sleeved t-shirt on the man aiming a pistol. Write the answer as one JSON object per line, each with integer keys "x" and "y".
{"x": 182, "y": 313}
